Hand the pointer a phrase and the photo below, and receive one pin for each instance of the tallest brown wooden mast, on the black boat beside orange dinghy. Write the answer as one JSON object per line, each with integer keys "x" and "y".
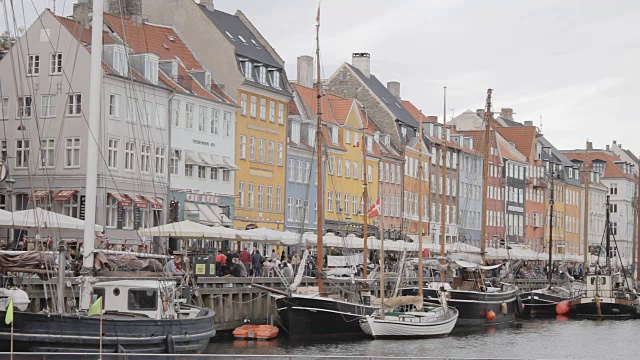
{"x": 320, "y": 192}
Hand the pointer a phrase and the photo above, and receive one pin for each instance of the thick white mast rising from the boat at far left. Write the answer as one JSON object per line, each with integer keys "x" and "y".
{"x": 95, "y": 90}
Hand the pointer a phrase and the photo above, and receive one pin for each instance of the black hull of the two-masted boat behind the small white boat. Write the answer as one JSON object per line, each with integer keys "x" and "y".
{"x": 474, "y": 306}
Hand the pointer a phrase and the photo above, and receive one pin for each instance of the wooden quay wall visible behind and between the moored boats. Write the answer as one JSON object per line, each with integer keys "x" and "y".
{"x": 235, "y": 300}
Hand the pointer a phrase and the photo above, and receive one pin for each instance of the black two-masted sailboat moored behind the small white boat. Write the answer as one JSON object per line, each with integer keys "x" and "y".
{"x": 479, "y": 303}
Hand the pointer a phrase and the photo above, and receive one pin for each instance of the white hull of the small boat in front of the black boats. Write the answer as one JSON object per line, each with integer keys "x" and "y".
{"x": 392, "y": 328}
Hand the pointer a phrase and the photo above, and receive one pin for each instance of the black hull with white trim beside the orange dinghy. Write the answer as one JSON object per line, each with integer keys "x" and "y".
{"x": 304, "y": 316}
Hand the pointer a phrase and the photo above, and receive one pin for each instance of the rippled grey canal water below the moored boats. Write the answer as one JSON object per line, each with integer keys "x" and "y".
{"x": 534, "y": 339}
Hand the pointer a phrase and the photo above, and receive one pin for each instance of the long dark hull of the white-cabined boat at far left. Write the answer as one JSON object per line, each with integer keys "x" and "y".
{"x": 39, "y": 332}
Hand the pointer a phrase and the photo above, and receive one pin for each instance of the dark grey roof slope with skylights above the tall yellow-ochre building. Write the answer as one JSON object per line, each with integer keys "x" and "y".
{"x": 234, "y": 26}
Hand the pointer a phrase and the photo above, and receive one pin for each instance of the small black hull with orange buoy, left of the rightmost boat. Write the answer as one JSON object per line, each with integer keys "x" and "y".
{"x": 543, "y": 304}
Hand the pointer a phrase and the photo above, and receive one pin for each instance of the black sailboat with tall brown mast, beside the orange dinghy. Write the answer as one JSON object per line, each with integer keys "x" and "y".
{"x": 315, "y": 313}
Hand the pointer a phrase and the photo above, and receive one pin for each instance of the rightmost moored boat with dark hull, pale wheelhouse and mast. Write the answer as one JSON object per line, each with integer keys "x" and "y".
{"x": 608, "y": 294}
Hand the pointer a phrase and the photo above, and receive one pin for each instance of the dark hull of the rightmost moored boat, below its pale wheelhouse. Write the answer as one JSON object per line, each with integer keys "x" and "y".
{"x": 611, "y": 308}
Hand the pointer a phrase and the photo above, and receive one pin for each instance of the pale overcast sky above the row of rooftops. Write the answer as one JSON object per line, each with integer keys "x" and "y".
{"x": 573, "y": 63}
